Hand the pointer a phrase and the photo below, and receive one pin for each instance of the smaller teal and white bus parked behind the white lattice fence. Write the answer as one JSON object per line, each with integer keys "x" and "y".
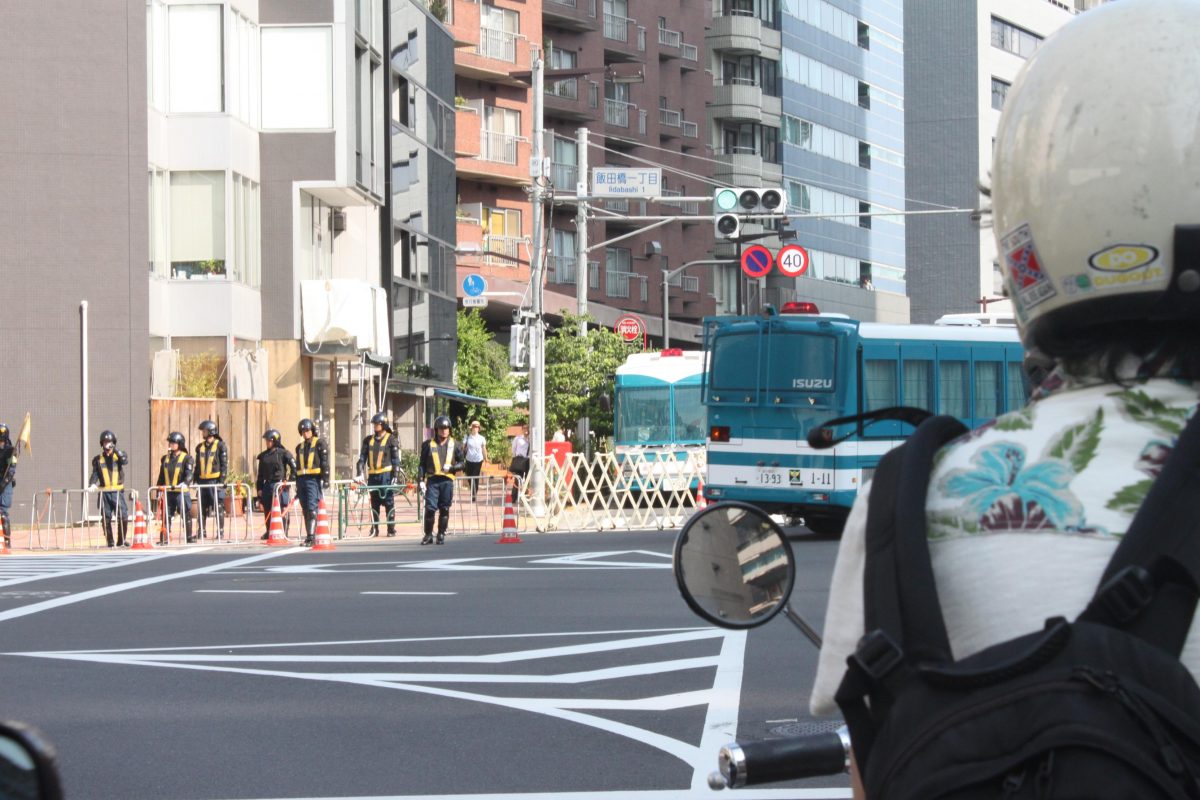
{"x": 659, "y": 420}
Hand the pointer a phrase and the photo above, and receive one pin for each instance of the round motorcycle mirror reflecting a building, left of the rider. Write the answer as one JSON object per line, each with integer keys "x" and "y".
{"x": 734, "y": 567}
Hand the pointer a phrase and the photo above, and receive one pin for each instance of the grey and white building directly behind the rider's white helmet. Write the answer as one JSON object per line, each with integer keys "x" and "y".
{"x": 962, "y": 58}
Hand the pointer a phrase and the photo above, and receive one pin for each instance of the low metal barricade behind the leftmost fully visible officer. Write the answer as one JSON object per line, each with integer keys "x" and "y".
{"x": 70, "y": 520}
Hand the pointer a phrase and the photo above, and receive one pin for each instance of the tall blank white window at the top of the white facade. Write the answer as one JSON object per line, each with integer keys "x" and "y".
{"x": 194, "y": 55}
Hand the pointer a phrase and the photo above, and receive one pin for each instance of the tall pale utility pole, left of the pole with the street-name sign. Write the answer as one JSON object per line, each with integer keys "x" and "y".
{"x": 537, "y": 280}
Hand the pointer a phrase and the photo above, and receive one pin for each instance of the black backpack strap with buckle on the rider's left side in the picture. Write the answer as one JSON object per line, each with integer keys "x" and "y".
{"x": 903, "y": 616}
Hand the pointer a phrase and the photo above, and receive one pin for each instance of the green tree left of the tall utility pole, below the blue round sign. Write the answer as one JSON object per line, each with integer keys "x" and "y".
{"x": 484, "y": 372}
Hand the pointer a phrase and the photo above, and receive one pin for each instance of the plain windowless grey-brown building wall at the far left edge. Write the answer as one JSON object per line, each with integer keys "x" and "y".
{"x": 73, "y": 249}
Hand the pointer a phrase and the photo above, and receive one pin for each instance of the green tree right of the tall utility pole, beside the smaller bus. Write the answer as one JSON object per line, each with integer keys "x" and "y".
{"x": 580, "y": 371}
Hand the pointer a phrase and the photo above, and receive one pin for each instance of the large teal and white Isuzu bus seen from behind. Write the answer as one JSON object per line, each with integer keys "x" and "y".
{"x": 773, "y": 378}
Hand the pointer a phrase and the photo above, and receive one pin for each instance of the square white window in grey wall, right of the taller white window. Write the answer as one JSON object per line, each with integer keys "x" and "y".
{"x": 298, "y": 79}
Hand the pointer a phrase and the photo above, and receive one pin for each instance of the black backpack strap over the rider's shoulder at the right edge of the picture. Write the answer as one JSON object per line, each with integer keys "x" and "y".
{"x": 1153, "y": 582}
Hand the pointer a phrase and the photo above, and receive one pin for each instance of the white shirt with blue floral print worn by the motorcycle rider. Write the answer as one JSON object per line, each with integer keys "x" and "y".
{"x": 1024, "y": 514}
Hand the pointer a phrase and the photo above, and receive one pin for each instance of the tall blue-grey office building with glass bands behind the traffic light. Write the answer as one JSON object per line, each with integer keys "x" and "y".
{"x": 811, "y": 100}
